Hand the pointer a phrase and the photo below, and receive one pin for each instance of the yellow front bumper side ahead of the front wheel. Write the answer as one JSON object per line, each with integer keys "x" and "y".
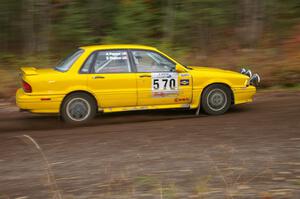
{"x": 243, "y": 95}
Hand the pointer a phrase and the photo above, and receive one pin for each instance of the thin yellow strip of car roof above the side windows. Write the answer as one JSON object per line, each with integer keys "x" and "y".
{"x": 117, "y": 46}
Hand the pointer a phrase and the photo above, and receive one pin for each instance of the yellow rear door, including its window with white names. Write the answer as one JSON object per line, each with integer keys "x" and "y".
{"x": 110, "y": 78}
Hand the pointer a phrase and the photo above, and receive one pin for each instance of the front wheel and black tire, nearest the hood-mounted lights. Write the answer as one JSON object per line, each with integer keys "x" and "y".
{"x": 216, "y": 99}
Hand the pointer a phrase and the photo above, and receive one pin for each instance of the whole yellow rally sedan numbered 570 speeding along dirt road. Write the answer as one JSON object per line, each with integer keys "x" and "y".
{"x": 112, "y": 78}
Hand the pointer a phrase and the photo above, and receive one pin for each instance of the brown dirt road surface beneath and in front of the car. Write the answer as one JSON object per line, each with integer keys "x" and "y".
{"x": 251, "y": 152}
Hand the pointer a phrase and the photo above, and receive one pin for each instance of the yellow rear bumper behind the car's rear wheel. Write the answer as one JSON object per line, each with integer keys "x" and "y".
{"x": 38, "y": 103}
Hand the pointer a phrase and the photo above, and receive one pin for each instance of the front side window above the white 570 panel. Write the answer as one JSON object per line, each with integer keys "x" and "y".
{"x": 148, "y": 61}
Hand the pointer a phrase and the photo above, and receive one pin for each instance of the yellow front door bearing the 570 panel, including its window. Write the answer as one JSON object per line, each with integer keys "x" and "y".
{"x": 158, "y": 83}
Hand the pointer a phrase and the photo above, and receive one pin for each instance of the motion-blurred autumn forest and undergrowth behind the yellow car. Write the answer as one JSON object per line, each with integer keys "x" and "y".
{"x": 263, "y": 35}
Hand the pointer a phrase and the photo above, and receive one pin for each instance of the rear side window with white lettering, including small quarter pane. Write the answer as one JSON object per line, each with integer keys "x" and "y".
{"x": 115, "y": 61}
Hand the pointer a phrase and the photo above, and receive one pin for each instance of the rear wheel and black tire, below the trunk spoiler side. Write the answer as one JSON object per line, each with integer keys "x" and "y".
{"x": 78, "y": 108}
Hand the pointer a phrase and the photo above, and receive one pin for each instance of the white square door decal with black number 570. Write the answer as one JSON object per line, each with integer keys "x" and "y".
{"x": 164, "y": 84}
